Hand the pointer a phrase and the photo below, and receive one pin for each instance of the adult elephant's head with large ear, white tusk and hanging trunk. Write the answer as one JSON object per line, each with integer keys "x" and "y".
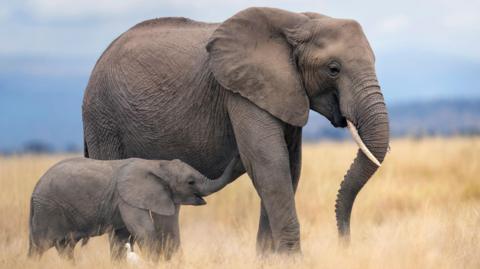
{"x": 287, "y": 63}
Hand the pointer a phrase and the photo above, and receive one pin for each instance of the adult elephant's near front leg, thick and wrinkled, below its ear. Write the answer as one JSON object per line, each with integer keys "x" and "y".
{"x": 261, "y": 141}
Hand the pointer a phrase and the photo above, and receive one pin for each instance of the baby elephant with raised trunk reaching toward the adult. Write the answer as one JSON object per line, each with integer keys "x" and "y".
{"x": 80, "y": 198}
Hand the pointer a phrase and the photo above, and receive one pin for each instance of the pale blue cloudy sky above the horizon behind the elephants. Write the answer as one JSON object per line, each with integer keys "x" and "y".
{"x": 424, "y": 49}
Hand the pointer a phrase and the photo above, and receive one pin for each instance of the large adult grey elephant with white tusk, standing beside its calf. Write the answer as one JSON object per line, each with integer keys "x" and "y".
{"x": 176, "y": 88}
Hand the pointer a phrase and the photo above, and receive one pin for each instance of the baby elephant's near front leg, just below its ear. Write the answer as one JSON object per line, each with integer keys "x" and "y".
{"x": 140, "y": 224}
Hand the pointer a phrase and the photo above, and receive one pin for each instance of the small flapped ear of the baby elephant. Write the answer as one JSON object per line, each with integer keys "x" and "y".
{"x": 140, "y": 188}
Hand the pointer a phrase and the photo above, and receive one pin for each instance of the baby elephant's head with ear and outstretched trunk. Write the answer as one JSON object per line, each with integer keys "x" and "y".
{"x": 161, "y": 186}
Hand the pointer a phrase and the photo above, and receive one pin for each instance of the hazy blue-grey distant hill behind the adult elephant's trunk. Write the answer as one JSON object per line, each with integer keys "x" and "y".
{"x": 426, "y": 118}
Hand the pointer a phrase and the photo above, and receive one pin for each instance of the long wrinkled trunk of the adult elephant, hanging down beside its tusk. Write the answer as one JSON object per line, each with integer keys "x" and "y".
{"x": 369, "y": 116}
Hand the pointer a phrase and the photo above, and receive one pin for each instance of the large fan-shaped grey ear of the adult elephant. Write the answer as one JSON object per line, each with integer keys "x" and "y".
{"x": 249, "y": 54}
